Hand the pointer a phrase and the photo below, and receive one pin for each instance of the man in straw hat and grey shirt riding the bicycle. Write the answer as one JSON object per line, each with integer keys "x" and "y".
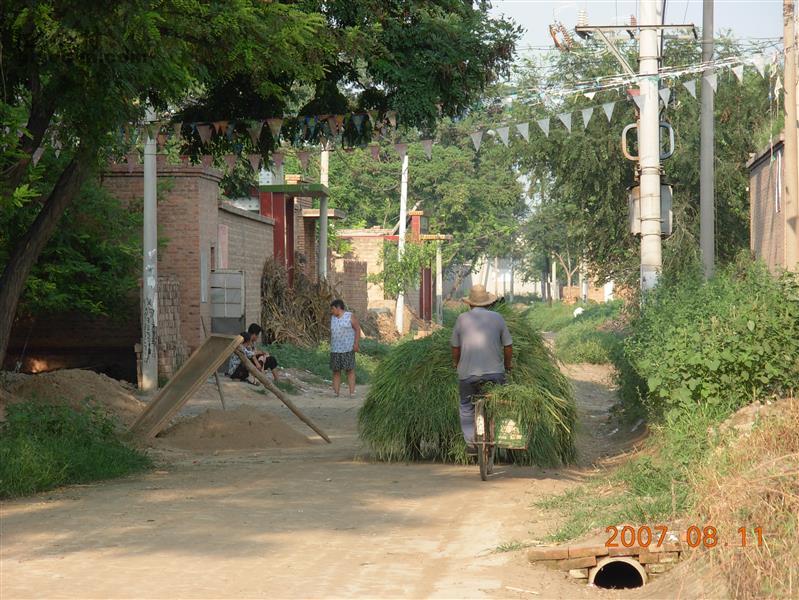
{"x": 482, "y": 350}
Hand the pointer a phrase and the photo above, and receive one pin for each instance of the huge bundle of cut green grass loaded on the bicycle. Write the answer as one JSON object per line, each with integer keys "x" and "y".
{"x": 411, "y": 411}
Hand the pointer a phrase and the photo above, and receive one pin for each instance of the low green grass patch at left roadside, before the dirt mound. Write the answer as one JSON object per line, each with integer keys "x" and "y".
{"x": 43, "y": 446}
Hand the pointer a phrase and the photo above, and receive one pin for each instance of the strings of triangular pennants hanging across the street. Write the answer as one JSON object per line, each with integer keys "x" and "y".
{"x": 329, "y": 127}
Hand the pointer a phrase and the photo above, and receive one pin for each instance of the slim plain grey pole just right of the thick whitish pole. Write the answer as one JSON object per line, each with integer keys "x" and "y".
{"x": 707, "y": 202}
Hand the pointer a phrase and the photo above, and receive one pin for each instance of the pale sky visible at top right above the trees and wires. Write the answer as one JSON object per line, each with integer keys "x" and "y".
{"x": 746, "y": 18}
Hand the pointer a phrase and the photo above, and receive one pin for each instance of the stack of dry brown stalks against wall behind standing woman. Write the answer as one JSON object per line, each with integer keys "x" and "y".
{"x": 299, "y": 314}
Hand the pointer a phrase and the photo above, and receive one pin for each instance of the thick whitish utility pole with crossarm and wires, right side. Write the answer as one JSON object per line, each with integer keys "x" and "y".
{"x": 649, "y": 143}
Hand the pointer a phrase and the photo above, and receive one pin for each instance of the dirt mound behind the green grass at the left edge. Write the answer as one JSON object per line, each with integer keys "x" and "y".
{"x": 74, "y": 387}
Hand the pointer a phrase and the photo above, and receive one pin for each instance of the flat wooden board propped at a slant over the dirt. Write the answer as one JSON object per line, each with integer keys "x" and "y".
{"x": 201, "y": 365}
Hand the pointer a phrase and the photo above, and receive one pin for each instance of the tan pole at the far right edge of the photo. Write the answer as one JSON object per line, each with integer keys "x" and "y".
{"x": 791, "y": 203}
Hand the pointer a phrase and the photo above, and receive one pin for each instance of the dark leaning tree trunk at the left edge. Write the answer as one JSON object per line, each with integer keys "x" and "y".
{"x": 27, "y": 251}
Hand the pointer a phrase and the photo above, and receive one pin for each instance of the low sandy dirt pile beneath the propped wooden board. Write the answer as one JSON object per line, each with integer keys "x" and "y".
{"x": 241, "y": 428}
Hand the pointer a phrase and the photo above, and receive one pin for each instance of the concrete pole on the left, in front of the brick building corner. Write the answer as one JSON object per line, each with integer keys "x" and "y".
{"x": 149, "y": 305}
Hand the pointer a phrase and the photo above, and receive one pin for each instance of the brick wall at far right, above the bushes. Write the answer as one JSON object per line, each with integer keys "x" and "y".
{"x": 766, "y": 225}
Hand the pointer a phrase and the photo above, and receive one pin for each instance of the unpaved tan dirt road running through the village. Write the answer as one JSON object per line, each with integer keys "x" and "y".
{"x": 317, "y": 521}
